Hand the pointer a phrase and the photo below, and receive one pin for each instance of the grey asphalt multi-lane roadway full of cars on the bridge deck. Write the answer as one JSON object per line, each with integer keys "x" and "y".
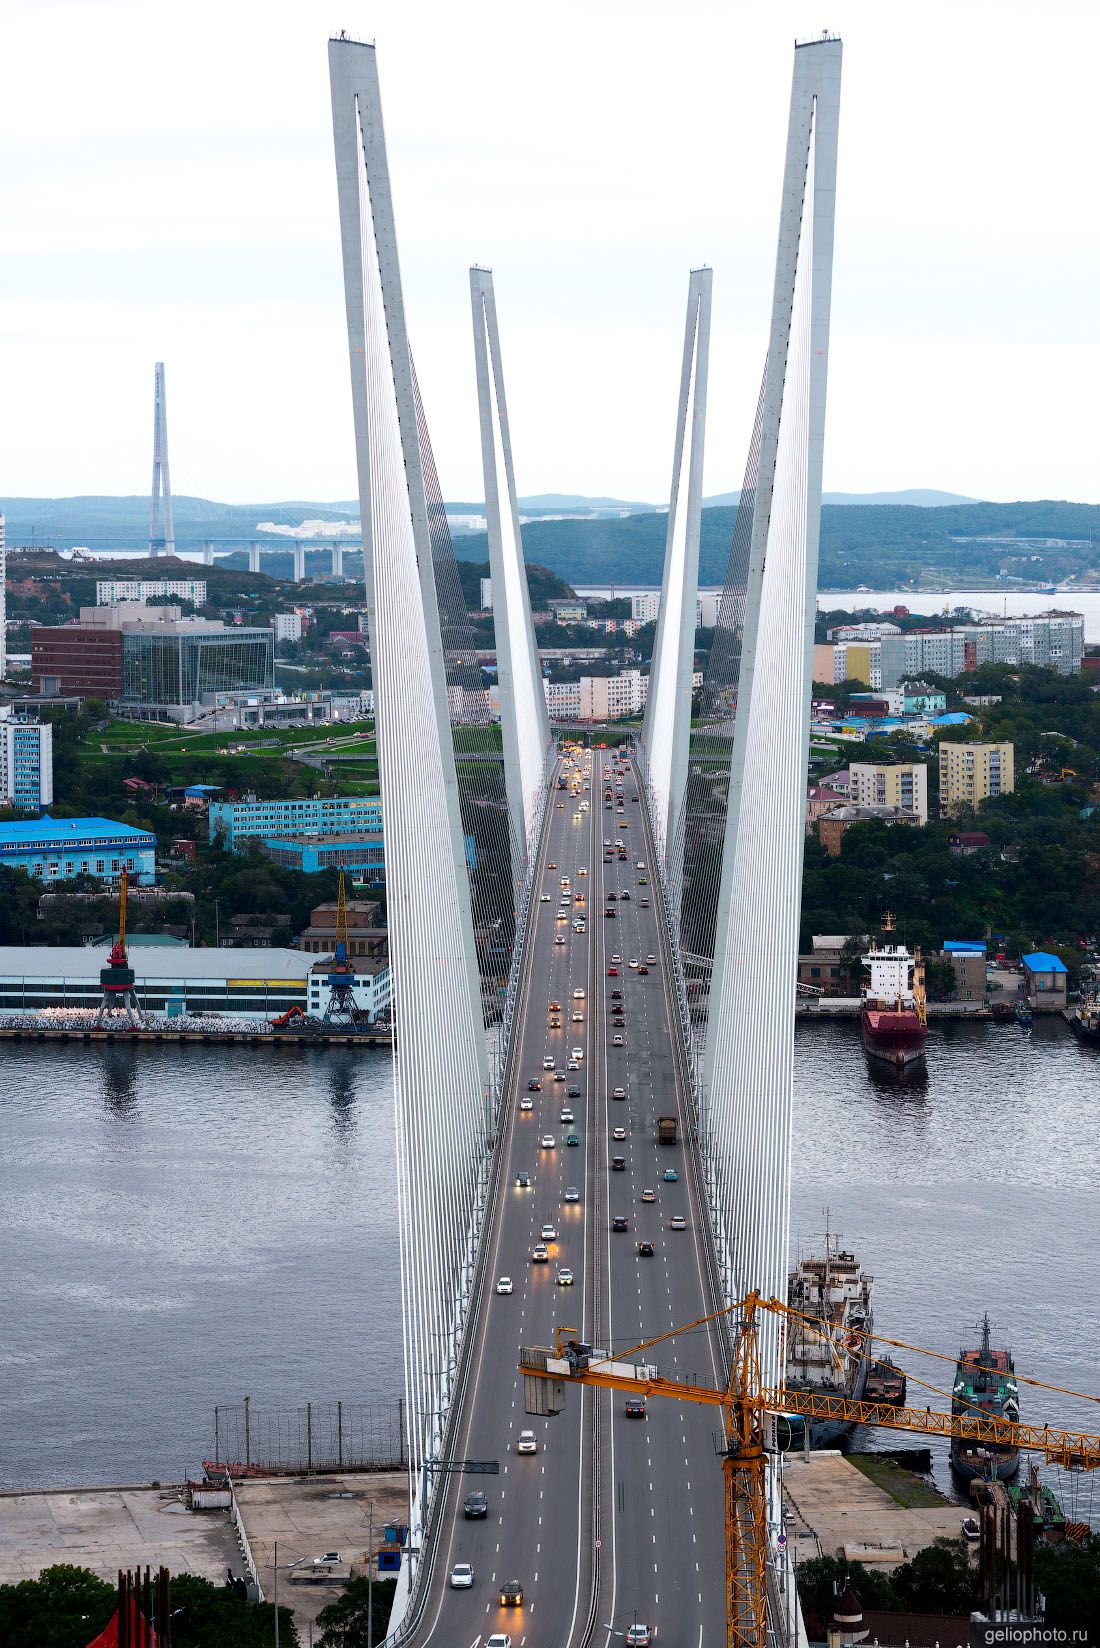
{"x": 613, "y": 1519}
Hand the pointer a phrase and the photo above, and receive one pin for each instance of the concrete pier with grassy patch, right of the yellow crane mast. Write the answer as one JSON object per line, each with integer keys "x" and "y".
{"x": 842, "y": 1514}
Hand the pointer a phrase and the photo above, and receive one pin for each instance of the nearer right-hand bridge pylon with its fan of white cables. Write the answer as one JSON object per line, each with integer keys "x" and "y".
{"x": 748, "y": 1069}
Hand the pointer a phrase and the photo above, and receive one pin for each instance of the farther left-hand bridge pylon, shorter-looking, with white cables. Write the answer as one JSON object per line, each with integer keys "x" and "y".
{"x": 524, "y": 714}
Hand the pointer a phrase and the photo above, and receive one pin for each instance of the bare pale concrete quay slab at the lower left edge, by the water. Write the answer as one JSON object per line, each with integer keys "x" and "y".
{"x": 111, "y": 1529}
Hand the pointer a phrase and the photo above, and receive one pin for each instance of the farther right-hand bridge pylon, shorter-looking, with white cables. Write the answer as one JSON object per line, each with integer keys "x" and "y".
{"x": 667, "y": 728}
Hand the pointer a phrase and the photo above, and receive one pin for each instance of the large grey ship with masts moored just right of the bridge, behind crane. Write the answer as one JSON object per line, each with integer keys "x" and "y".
{"x": 829, "y": 1344}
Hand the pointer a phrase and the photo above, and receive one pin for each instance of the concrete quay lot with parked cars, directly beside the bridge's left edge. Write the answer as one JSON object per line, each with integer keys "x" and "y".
{"x": 308, "y": 1515}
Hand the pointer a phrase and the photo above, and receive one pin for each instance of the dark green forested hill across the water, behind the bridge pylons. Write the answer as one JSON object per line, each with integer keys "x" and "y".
{"x": 873, "y": 545}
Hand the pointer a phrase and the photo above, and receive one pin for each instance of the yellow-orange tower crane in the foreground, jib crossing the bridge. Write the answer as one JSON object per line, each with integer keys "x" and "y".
{"x": 750, "y": 1413}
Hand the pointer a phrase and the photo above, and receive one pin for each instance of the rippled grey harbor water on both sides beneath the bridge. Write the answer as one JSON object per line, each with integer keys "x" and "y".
{"x": 181, "y": 1227}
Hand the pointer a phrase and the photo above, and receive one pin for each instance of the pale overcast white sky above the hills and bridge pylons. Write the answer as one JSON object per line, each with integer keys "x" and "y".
{"x": 167, "y": 192}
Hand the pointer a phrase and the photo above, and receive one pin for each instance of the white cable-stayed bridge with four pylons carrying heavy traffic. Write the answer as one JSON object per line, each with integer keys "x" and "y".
{"x": 585, "y": 942}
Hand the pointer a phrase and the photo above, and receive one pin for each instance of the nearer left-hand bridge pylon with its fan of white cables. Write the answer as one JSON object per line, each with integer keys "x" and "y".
{"x": 441, "y": 1062}
